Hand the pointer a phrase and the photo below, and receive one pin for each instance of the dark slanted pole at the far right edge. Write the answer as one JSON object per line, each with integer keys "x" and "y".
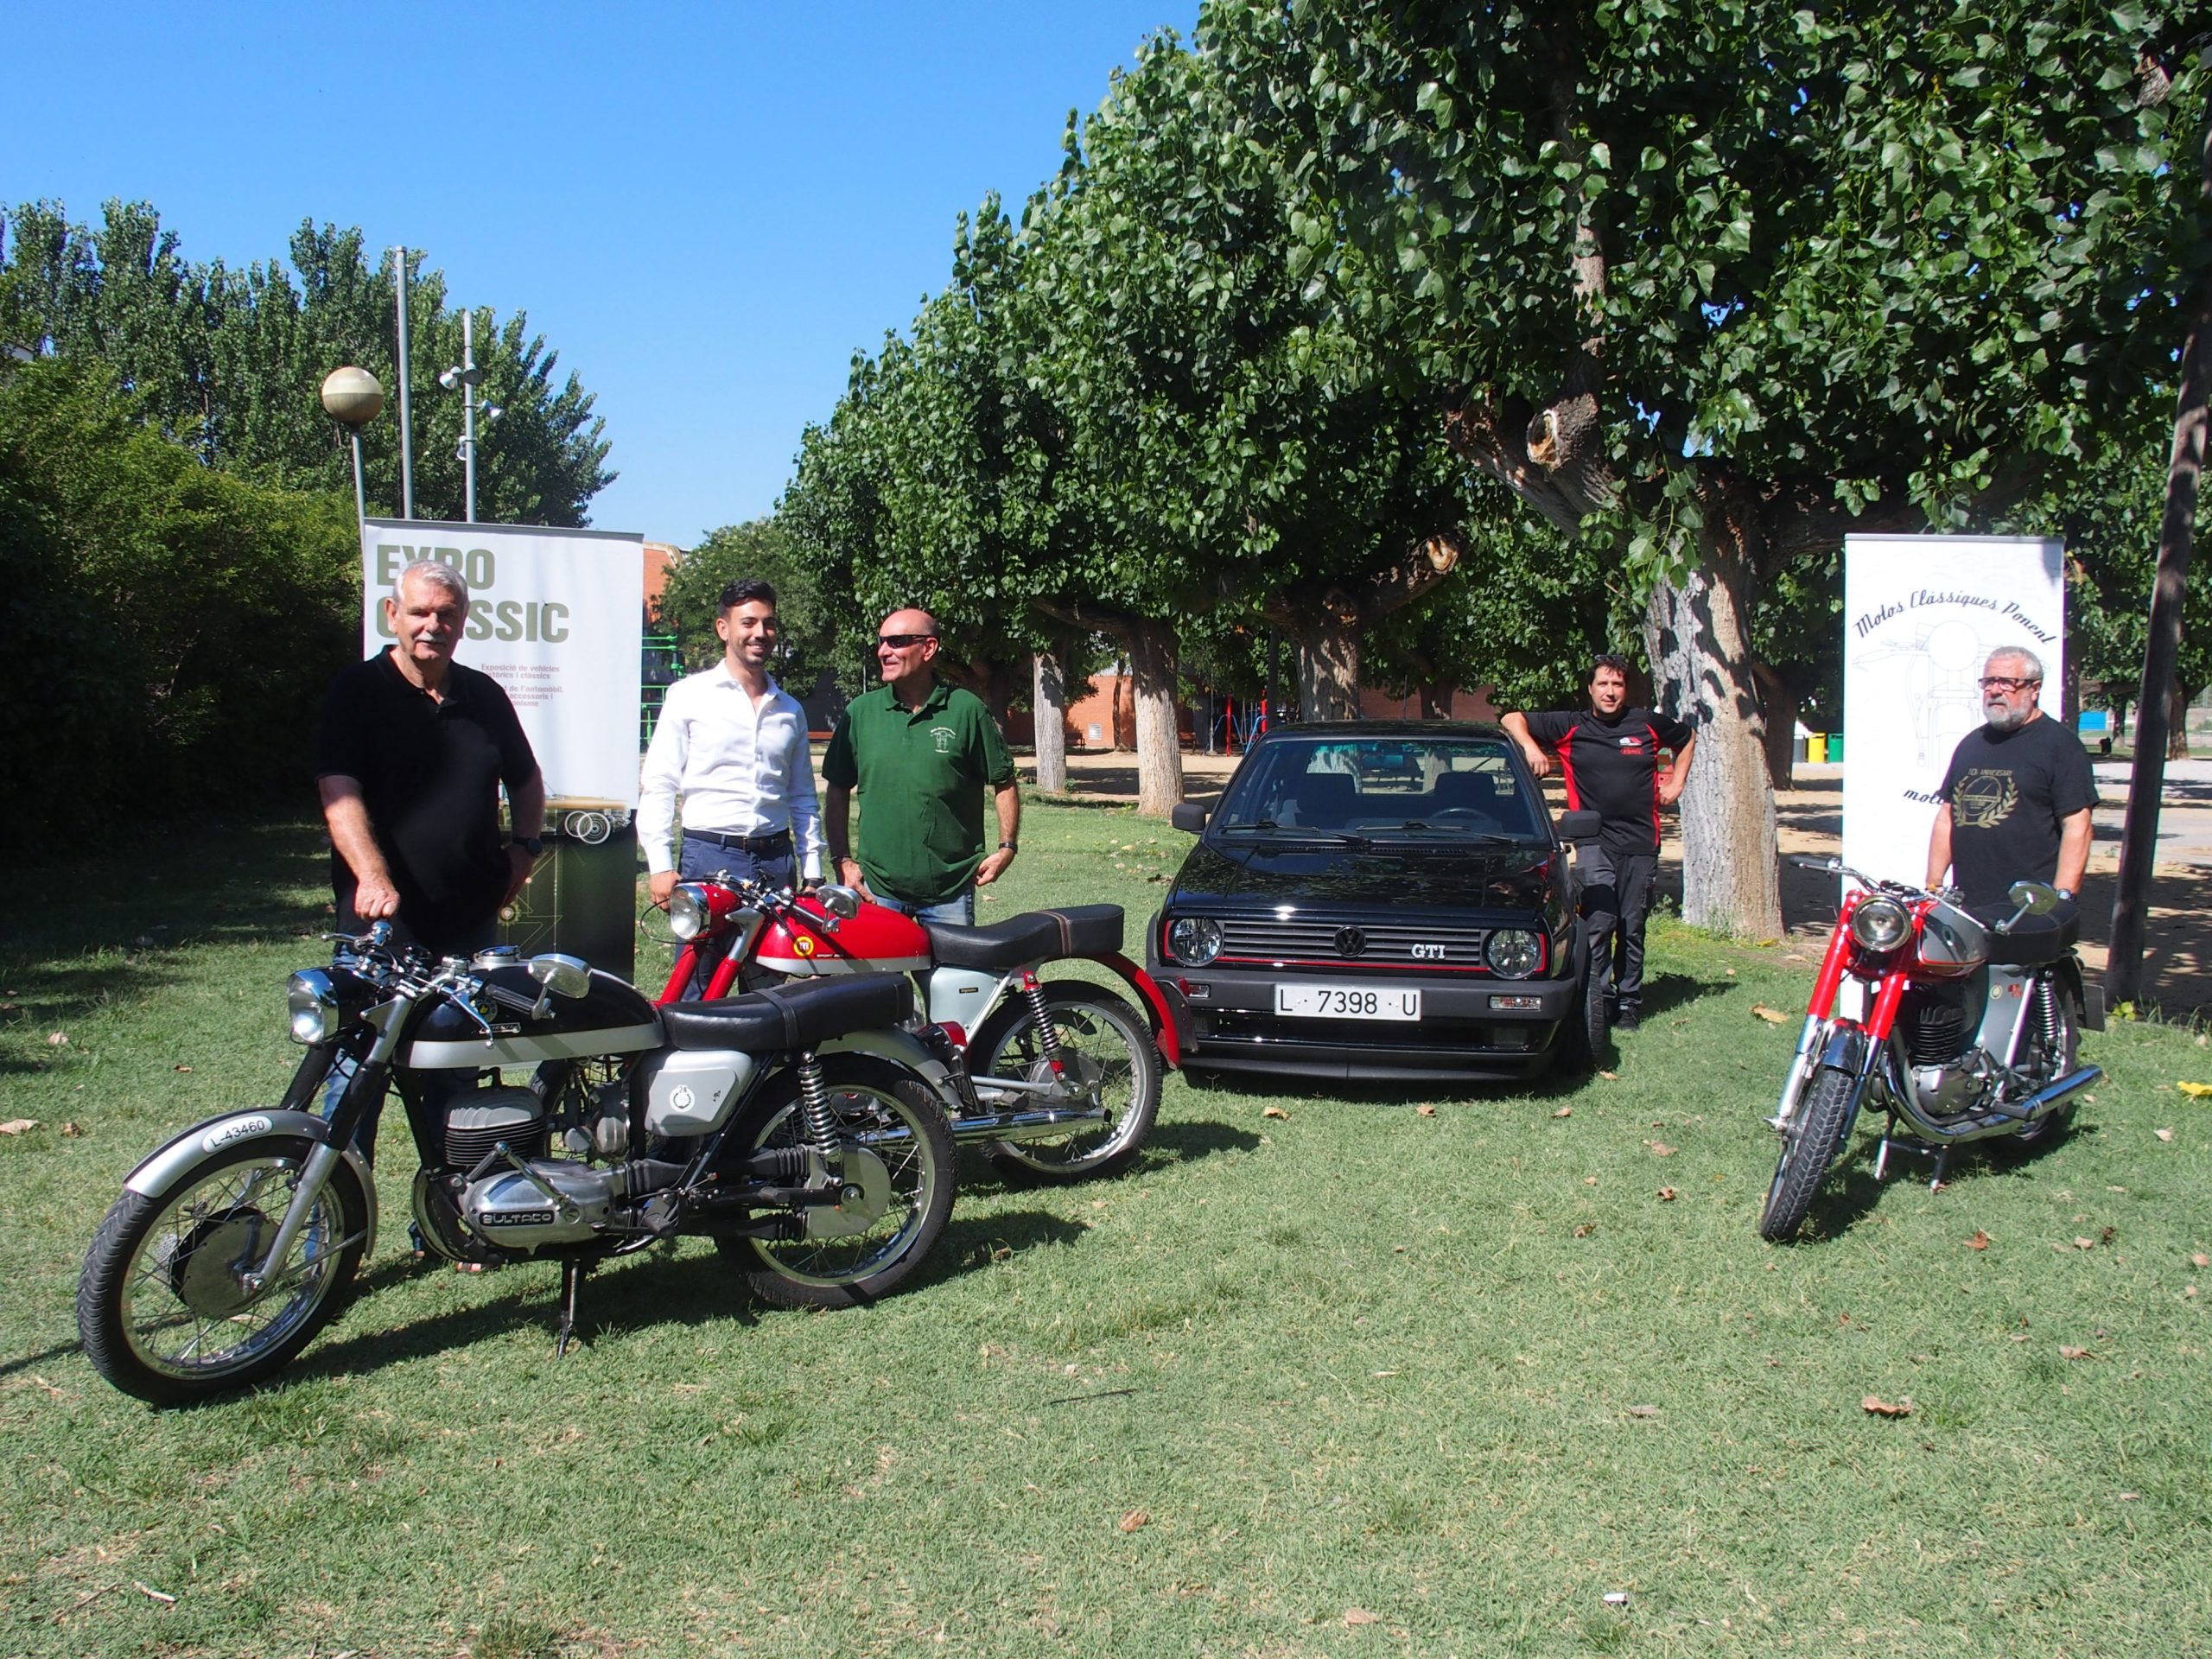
{"x": 2147, "y": 780}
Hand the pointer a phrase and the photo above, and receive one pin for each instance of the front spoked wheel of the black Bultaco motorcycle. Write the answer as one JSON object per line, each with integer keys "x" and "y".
{"x": 163, "y": 1308}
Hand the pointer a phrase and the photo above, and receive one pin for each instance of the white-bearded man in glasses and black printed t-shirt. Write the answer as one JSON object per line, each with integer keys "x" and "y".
{"x": 2016, "y": 800}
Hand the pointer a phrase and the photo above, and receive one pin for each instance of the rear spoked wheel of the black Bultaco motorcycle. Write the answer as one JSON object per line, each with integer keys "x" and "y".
{"x": 899, "y": 1162}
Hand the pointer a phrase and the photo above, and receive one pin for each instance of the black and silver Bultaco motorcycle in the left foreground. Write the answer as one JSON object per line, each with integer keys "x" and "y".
{"x": 802, "y": 1129}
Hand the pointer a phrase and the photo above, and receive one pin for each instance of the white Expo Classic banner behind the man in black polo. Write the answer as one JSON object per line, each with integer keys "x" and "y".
{"x": 556, "y": 618}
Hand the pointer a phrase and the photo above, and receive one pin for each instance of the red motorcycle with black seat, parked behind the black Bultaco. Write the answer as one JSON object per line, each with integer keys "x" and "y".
{"x": 1056, "y": 1078}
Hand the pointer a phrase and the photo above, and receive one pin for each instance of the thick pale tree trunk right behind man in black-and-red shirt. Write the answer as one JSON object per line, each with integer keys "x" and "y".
{"x": 1700, "y": 651}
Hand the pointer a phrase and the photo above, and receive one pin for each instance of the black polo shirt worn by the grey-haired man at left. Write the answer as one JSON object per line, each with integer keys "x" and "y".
{"x": 430, "y": 775}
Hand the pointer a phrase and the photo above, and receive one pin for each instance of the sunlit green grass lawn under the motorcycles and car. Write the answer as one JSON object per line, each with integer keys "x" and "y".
{"x": 1401, "y": 1375}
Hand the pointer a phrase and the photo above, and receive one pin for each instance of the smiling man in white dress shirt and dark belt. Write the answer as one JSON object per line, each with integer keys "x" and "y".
{"x": 735, "y": 747}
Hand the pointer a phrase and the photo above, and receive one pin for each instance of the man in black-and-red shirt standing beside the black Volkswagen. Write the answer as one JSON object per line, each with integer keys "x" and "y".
{"x": 1609, "y": 760}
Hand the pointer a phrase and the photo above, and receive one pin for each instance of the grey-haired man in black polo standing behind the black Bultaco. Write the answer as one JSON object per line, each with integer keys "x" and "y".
{"x": 410, "y": 760}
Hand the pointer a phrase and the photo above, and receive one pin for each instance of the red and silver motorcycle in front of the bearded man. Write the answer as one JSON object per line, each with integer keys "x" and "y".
{"x": 1959, "y": 1030}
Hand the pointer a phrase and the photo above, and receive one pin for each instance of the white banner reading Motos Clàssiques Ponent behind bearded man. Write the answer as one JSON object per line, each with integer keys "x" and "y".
{"x": 1921, "y": 616}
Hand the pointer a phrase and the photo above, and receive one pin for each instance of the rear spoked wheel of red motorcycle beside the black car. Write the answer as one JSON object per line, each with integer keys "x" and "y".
{"x": 1109, "y": 1050}
